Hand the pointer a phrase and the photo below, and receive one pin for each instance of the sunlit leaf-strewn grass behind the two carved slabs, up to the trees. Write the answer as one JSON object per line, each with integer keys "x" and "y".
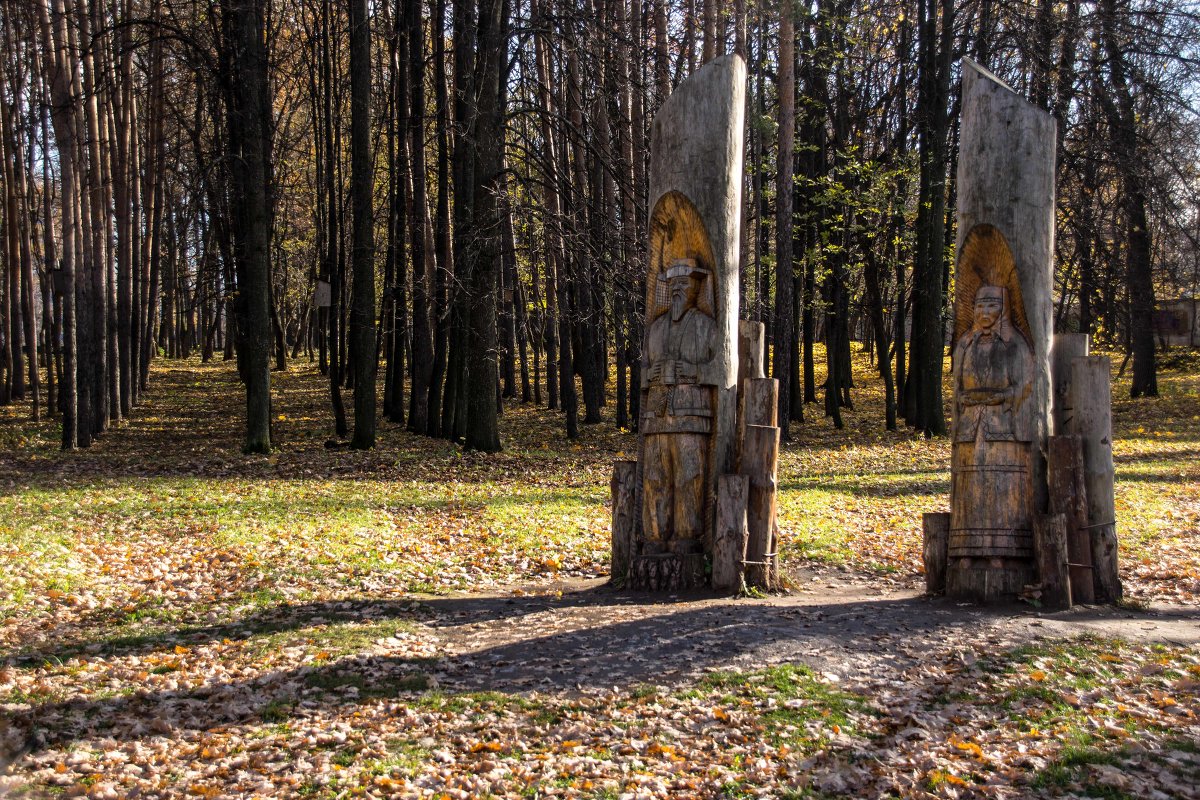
{"x": 423, "y": 515}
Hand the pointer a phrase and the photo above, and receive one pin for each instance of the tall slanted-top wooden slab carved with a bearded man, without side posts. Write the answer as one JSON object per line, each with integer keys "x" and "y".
{"x": 691, "y": 354}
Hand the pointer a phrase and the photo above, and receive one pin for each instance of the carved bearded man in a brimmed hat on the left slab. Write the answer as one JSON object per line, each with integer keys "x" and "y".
{"x": 677, "y": 414}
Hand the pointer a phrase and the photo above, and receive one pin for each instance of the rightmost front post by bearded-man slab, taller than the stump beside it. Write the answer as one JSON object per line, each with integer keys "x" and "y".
{"x": 760, "y": 462}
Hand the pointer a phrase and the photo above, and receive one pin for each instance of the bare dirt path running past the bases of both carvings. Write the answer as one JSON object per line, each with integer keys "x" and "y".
{"x": 591, "y": 636}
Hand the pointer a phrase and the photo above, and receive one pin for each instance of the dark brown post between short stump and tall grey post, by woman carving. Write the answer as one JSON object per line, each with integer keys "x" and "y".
{"x": 1069, "y": 497}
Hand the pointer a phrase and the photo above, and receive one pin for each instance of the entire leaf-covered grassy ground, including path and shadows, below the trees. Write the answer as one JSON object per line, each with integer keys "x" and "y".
{"x": 178, "y": 619}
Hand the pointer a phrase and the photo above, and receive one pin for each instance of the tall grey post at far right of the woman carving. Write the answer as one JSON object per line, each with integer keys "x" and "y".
{"x": 1091, "y": 400}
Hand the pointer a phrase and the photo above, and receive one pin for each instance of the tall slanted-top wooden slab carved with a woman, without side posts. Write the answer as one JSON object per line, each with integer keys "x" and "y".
{"x": 1003, "y": 334}
